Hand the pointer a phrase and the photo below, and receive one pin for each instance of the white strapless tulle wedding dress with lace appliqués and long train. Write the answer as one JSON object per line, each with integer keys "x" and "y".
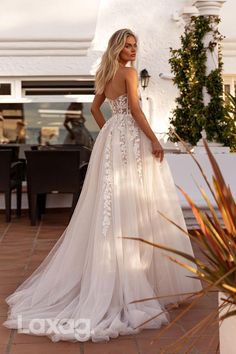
{"x": 92, "y": 272}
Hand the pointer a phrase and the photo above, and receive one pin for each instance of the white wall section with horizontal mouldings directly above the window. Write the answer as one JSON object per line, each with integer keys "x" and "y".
{"x": 46, "y": 37}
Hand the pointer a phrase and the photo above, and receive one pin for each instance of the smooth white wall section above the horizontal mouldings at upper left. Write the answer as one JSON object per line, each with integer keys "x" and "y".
{"x": 47, "y": 19}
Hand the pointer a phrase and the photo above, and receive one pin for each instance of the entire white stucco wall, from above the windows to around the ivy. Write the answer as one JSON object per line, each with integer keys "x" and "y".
{"x": 69, "y": 23}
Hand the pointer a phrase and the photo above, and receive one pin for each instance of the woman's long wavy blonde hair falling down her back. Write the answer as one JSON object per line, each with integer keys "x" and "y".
{"x": 109, "y": 62}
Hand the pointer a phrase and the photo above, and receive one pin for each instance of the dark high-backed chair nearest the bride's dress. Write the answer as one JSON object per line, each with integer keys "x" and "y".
{"x": 51, "y": 171}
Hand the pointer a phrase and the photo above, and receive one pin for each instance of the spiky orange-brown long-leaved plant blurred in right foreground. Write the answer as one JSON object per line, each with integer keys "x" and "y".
{"x": 216, "y": 239}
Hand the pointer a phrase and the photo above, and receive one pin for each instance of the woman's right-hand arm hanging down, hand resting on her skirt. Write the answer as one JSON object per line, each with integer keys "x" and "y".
{"x": 131, "y": 79}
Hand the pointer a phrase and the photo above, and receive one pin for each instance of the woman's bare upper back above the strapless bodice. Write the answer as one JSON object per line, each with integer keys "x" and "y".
{"x": 117, "y": 86}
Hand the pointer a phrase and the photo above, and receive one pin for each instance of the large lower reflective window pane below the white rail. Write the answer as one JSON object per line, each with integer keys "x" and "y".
{"x": 48, "y": 122}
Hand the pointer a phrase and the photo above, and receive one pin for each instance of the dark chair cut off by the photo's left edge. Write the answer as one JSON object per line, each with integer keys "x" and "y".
{"x": 10, "y": 179}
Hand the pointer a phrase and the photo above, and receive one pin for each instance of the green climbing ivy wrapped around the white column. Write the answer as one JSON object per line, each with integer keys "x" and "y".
{"x": 188, "y": 63}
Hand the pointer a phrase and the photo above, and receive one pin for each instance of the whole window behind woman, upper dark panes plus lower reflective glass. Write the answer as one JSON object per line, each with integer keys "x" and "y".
{"x": 50, "y": 112}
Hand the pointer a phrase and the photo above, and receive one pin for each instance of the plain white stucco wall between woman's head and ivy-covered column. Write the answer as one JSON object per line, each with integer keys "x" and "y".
{"x": 152, "y": 22}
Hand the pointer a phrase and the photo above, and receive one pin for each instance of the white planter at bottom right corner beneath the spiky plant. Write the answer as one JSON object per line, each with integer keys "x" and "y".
{"x": 227, "y": 330}
